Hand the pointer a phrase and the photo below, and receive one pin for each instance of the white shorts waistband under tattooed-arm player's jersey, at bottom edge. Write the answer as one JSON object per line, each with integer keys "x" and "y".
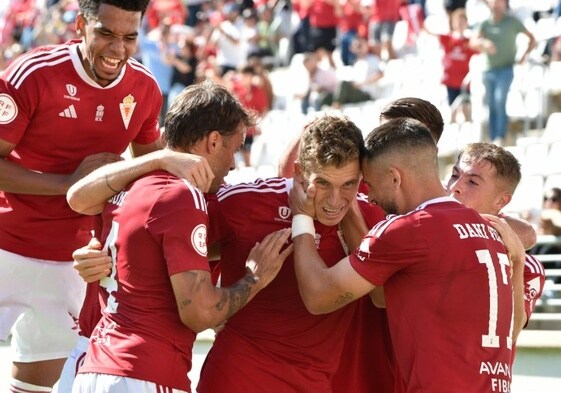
{"x": 103, "y": 383}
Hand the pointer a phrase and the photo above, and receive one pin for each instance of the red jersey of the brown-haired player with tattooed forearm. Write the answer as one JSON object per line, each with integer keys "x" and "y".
{"x": 154, "y": 229}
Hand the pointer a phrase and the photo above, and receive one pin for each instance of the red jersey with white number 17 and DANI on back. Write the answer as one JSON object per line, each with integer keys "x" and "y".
{"x": 446, "y": 278}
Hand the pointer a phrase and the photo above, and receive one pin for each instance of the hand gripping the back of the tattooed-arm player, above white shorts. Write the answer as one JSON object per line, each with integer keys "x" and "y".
{"x": 91, "y": 262}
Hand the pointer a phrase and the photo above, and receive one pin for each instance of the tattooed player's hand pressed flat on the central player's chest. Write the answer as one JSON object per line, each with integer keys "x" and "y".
{"x": 266, "y": 258}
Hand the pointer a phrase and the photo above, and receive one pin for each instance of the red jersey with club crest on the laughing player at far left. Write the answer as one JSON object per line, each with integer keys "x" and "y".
{"x": 56, "y": 116}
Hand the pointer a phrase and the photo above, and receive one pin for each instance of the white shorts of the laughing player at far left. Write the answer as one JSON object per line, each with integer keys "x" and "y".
{"x": 39, "y": 303}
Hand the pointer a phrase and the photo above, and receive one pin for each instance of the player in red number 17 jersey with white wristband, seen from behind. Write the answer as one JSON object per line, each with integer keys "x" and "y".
{"x": 429, "y": 258}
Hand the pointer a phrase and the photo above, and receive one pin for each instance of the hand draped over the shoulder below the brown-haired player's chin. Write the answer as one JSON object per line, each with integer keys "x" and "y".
{"x": 194, "y": 169}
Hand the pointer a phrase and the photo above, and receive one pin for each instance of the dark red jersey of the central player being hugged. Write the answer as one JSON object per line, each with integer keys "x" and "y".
{"x": 273, "y": 343}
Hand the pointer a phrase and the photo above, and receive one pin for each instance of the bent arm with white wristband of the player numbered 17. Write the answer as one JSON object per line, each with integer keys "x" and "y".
{"x": 322, "y": 289}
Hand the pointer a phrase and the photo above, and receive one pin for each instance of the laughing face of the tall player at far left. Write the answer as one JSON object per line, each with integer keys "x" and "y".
{"x": 108, "y": 41}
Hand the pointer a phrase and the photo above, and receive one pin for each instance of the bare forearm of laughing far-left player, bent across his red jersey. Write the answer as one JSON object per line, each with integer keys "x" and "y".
{"x": 16, "y": 179}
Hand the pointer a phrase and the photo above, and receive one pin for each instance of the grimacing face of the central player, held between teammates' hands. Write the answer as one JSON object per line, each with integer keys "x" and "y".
{"x": 336, "y": 189}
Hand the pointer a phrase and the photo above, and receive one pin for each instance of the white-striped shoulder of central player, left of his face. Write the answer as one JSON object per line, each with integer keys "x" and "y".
{"x": 259, "y": 188}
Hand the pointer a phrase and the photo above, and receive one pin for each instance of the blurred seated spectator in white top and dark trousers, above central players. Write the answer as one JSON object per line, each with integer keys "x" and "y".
{"x": 365, "y": 74}
